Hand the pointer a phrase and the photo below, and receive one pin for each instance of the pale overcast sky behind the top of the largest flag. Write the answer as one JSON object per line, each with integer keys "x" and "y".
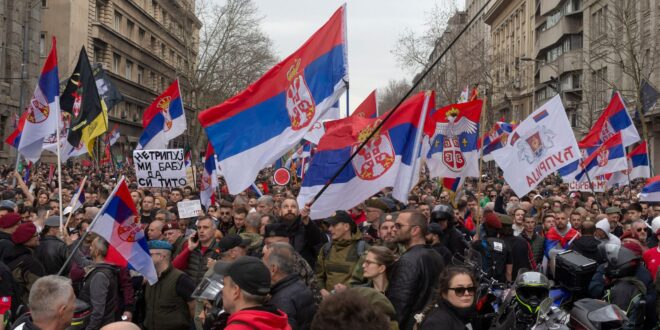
{"x": 373, "y": 29}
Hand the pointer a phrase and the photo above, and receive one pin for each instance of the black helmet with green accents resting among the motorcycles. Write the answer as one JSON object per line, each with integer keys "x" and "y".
{"x": 531, "y": 289}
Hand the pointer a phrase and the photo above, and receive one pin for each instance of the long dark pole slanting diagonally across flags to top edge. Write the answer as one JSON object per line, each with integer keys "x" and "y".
{"x": 396, "y": 107}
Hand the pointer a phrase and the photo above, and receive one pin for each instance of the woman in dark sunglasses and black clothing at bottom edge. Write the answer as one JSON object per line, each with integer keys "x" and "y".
{"x": 453, "y": 305}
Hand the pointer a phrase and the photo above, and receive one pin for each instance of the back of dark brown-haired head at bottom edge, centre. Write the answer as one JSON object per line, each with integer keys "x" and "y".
{"x": 346, "y": 310}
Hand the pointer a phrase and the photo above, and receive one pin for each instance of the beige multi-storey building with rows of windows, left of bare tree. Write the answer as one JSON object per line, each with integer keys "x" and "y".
{"x": 142, "y": 44}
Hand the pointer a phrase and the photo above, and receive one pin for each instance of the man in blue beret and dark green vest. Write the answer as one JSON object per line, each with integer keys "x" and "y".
{"x": 168, "y": 302}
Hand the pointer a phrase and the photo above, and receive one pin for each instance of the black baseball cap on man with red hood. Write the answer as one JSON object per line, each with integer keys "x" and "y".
{"x": 249, "y": 273}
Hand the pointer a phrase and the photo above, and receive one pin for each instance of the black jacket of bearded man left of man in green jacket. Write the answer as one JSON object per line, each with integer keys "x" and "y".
{"x": 306, "y": 240}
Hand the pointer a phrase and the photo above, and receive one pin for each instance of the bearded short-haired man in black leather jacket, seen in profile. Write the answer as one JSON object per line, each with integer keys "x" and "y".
{"x": 415, "y": 274}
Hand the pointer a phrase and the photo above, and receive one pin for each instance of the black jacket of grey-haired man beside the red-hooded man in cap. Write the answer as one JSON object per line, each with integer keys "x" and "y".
{"x": 294, "y": 298}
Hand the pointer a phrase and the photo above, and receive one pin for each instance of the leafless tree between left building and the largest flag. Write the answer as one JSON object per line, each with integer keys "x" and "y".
{"x": 230, "y": 52}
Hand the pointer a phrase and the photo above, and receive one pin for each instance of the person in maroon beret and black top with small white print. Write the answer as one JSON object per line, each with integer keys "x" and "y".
{"x": 496, "y": 255}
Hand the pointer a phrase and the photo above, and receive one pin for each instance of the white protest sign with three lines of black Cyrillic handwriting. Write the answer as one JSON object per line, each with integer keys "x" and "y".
{"x": 163, "y": 168}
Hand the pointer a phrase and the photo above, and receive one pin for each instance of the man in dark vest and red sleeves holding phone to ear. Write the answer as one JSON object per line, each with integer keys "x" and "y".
{"x": 196, "y": 251}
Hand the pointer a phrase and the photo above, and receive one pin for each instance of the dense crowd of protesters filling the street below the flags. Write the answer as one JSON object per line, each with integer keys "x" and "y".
{"x": 383, "y": 264}
